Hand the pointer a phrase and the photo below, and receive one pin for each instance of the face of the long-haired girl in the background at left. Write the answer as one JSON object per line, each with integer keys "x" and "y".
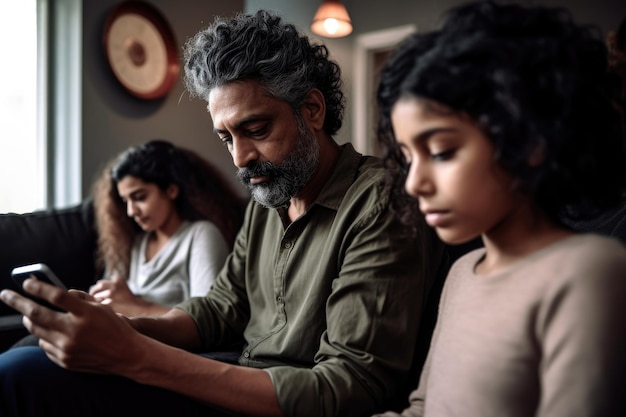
{"x": 151, "y": 207}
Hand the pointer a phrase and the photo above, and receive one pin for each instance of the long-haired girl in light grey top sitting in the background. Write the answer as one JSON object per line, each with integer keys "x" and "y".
{"x": 166, "y": 221}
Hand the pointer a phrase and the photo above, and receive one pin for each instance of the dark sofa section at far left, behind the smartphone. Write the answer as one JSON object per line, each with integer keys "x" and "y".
{"x": 64, "y": 239}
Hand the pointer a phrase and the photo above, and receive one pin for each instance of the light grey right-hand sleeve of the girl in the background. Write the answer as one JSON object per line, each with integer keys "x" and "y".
{"x": 207, "y": 254}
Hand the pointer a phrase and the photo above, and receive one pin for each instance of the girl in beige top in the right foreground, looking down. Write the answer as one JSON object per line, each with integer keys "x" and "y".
{"x": 500, "y": 125}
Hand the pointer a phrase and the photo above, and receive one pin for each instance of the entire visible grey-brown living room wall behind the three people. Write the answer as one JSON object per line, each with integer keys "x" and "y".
{"x": 112, "y": 120}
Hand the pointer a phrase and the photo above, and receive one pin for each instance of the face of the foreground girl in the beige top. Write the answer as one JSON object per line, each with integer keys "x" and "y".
{"x": 462, "y": 191}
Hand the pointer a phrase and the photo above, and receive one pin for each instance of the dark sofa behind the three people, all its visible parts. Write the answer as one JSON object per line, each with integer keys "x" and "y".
{"x": 65, "y": 239}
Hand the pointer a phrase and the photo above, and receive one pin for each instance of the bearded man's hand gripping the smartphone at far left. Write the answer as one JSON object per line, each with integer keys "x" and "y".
{"x": 87, "y": 337}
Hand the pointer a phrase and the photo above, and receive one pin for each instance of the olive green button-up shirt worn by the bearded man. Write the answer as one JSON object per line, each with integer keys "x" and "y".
{"x": 328, "y": 305}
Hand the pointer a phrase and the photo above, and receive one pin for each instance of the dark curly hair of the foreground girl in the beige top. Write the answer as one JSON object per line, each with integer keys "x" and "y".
{"x": 538, "y": 86}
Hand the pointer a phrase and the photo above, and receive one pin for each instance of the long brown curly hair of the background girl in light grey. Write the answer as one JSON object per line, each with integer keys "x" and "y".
{"x": 204, "y": 194}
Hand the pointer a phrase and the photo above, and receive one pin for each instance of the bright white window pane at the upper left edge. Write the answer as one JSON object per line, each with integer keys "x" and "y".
{"x": 22, "y": 153}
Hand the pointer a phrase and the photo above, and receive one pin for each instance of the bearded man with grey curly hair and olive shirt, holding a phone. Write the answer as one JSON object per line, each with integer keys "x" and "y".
{"x": 321, "y": 294}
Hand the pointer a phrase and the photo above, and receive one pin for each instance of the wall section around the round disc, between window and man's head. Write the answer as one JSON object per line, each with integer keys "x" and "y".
{"x": 113, "y": 120}
